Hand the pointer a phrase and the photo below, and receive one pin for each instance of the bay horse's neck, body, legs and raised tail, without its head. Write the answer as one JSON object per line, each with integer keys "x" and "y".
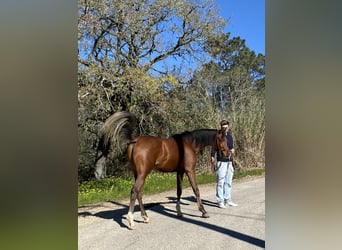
{"x": 145, "y": 153}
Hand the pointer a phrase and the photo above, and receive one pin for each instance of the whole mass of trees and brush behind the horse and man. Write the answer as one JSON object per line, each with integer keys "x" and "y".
{"x": 132, "y": 56}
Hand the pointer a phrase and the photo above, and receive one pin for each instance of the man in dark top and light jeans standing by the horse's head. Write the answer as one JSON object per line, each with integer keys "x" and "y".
{"x": 224, "y": 170}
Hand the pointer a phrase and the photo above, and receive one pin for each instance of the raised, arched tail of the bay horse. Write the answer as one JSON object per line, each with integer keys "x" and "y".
{"x": 117, "y": 128}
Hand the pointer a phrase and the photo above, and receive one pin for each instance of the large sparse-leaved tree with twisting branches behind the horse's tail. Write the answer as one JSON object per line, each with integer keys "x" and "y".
{"x": 123, "y": 46}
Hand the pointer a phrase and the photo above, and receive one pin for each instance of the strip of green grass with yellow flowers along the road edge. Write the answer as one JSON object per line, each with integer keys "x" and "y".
{"x": 115, "y": 188}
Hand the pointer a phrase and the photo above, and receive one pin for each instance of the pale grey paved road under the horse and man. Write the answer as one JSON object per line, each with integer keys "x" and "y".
{"x": 243, "y": 227}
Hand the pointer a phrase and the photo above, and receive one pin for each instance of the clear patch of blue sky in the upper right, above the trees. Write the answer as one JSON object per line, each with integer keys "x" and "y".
{"x": 246, "y": 19}
